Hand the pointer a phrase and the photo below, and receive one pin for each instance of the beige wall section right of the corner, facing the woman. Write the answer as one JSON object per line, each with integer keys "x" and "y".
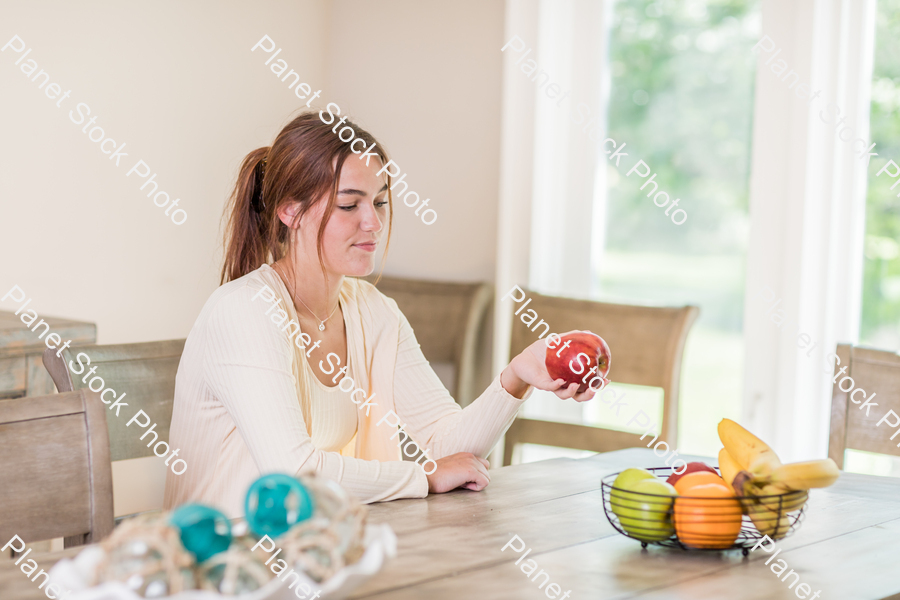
{"x": 424, "y": 78}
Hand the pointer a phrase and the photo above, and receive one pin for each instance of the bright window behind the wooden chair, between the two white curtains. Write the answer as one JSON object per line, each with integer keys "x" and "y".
{"x": 681, "y": 97}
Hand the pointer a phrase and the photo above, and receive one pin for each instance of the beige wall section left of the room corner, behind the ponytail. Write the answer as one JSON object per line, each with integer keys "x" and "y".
{"x": 176, "y": 82}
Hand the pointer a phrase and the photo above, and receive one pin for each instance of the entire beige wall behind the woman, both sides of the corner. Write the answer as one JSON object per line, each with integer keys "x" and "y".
{"x": 176, "y": 82}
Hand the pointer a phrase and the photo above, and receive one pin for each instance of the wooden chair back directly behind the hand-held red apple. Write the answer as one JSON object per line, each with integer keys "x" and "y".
{"x": 646, "y": 345}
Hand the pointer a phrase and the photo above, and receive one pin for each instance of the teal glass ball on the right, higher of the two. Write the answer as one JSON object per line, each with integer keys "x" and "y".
{"x": 275, "y": 503}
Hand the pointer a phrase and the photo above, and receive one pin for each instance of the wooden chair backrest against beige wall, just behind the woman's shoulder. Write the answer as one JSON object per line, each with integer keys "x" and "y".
{"x": 447, "y": 319}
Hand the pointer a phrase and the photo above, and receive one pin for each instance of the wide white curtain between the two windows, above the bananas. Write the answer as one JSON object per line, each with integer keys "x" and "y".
{"x": 807, "y": 209}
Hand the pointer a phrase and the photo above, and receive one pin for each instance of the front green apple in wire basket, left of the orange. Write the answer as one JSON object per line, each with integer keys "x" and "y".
{"x": 646, "y": 513}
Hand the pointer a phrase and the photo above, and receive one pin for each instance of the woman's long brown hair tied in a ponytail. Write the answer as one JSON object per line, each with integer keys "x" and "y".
{"x": 298, "y": 167}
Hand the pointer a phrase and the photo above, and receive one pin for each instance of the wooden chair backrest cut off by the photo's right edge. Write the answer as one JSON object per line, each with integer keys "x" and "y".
{"x": 875, "y": 372}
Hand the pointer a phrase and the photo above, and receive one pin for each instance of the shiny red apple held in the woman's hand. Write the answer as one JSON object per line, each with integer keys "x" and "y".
{"x": 580, "y": 357}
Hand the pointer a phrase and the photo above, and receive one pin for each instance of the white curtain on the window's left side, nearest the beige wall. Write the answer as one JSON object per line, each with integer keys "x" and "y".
{"x": 566, "y": 228}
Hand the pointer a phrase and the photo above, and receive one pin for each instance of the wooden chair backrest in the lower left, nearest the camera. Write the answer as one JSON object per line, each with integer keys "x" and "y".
{"x": 55, "y": 474}
